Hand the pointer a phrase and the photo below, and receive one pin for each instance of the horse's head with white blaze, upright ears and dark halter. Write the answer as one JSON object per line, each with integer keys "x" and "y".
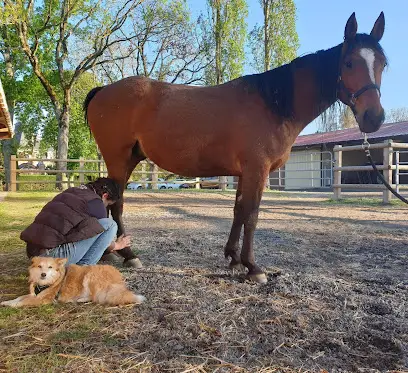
{"x": 361, "y": 66}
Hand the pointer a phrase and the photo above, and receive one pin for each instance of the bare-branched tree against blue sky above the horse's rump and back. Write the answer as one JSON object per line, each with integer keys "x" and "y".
{"x": 167, "y": 45}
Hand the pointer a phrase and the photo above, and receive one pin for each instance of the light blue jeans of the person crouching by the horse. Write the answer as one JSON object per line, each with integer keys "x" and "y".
{"x": 89, "y": 251}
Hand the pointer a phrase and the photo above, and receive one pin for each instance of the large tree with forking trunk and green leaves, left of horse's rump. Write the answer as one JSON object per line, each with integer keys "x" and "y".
{"x": 69, "y": 38}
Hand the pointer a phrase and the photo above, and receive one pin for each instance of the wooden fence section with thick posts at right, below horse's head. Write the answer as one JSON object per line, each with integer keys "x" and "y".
{"x": 387, "y": 168}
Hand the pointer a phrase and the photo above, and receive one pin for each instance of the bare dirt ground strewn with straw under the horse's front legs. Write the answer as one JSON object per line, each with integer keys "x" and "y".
{"x": 336, "y": 298}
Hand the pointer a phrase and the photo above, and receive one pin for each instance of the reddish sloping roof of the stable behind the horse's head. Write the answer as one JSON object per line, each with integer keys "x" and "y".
{"x": 387, "y": 131}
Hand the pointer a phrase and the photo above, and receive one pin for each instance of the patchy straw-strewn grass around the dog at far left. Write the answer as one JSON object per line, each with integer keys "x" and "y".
{"x": 51, "y": 338}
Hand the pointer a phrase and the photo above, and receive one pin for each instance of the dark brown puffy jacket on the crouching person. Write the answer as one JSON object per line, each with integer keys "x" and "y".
{"x": 64, "y": 219}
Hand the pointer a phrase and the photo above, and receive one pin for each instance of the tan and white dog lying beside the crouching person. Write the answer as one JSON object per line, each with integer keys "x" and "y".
{"x": 52, "y": 281}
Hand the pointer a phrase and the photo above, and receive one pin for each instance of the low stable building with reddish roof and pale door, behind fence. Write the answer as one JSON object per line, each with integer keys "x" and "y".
{"x": 311, "y": 160}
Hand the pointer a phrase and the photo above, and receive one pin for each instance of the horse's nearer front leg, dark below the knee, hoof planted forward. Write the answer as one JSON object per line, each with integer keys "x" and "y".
{"x": 252, "y": 188}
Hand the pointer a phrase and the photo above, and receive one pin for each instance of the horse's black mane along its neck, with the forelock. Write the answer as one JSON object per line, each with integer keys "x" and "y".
{"x": 276, "y": 86}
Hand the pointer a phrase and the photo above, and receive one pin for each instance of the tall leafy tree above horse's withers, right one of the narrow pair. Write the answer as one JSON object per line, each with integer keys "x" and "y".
{"x": 275, "y": 42}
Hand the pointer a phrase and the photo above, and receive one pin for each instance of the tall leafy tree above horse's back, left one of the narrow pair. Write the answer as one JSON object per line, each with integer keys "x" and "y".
{"x": 228, "y": 30}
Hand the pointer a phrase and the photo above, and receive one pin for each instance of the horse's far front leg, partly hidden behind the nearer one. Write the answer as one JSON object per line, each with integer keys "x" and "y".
{"x": 232, "y": 246}
